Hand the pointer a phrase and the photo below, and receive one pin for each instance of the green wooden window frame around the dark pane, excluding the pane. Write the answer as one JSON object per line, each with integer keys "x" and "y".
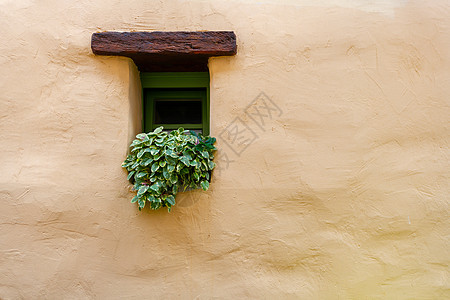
{"x": 175, "y": 86}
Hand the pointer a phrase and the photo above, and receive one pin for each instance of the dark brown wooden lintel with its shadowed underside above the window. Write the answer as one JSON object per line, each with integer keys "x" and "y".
{"x": 166, "y": 51}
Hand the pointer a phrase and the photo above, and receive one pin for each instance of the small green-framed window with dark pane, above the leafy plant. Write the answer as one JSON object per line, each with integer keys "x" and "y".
{"x": 176, "y": 99}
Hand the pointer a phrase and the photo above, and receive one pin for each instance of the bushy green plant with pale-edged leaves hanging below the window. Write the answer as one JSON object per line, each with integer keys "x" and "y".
{"x": 161, "y": 163}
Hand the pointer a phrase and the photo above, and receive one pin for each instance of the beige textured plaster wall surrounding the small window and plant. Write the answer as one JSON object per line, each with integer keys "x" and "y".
{"x": 343, "y": 195}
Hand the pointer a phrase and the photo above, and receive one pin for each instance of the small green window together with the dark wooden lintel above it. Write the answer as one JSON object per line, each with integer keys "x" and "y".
{"x": 174, "y": 72}
